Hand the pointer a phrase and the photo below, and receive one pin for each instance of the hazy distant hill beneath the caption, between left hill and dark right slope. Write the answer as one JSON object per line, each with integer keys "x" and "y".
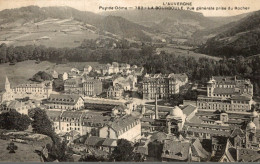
{"x": 175, "y": 23}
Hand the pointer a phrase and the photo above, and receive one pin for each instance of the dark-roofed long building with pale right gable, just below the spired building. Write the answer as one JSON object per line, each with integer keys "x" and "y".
{"x": 64, "y": 101}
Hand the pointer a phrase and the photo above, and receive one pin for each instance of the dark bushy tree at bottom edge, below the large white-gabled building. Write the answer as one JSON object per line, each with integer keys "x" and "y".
{"x": 123, "y": 151}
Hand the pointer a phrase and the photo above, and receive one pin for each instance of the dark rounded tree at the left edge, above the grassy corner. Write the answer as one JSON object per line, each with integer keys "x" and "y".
{"x": 14, "y": 121}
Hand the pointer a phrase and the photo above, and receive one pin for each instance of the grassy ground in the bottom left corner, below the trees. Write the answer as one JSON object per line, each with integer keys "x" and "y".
{"x": 24, "y": 153}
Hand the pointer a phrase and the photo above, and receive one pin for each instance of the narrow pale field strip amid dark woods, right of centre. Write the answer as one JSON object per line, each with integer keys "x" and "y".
{"x": 182, "y": 52}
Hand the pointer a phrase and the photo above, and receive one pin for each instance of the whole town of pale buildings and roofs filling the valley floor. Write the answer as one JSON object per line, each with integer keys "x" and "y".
{"x": 106, "y": 107}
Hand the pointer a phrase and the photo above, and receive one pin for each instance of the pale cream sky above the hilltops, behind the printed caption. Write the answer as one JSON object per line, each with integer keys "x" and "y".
{"x": 93, "y": 5}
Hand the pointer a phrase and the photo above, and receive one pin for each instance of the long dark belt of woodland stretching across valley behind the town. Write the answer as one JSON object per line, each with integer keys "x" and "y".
{"x": 197, "y": 70}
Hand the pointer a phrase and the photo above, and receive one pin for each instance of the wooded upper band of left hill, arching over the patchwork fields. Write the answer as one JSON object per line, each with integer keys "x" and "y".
{"x": 11, "y": 18}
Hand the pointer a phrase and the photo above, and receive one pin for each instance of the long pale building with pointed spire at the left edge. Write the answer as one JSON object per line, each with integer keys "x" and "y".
{"x": 31, "y": 90}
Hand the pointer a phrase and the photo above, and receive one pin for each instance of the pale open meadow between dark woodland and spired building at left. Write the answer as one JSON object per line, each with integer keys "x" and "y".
{"x": 22, "y": 71}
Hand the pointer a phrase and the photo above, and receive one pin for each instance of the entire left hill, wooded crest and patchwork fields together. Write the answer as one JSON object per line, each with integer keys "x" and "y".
{"x": 62, "y": 27}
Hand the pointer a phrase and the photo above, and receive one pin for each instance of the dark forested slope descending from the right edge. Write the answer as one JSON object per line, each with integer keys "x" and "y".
{"x": 238, "y": 38}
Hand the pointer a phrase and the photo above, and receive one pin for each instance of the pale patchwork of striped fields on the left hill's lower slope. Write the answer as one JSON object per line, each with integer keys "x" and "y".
{"x": 50, "y": 32}
